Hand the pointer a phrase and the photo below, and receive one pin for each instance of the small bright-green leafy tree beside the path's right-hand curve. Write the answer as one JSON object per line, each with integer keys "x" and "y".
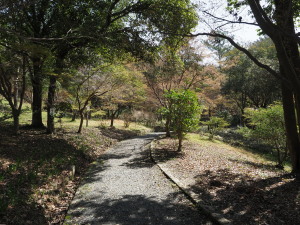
{"x": 184, "y": 112}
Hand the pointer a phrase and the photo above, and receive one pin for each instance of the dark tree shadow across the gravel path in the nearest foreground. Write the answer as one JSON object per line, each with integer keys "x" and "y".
{"x": 133, "y": 209}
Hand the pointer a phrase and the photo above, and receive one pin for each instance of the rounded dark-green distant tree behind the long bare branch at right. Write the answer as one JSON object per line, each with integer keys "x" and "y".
{"x": 247, "y": 84}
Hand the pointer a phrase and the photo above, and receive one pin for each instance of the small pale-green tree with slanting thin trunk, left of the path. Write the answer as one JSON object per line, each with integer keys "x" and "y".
{"x": 95, "y": 81}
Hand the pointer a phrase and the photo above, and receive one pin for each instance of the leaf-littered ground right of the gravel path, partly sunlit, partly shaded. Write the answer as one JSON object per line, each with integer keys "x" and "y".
{"x": 242, "y": 186}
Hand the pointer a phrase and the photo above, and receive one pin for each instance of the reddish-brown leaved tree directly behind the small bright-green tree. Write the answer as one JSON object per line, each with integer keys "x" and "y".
{"x": 177, "y": 68}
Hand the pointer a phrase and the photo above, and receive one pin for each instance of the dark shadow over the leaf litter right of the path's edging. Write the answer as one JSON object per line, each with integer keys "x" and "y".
{"x": 244, "y": 200}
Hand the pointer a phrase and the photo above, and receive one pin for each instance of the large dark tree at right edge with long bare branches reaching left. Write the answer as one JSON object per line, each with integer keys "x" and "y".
{"x": 277, "y": 20}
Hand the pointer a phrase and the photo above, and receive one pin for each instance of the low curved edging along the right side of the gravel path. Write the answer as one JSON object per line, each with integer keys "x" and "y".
{"x": 214, "y": 216}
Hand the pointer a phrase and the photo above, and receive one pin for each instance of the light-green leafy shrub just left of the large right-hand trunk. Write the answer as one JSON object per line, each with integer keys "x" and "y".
{"x": 269, "y": 127}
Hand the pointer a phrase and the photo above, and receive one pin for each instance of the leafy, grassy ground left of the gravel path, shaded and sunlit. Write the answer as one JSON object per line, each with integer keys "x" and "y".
{"x": 39, "y": 173}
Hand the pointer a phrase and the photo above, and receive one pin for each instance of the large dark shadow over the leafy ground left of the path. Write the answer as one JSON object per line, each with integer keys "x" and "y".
{"x": 28, "y": 162}
